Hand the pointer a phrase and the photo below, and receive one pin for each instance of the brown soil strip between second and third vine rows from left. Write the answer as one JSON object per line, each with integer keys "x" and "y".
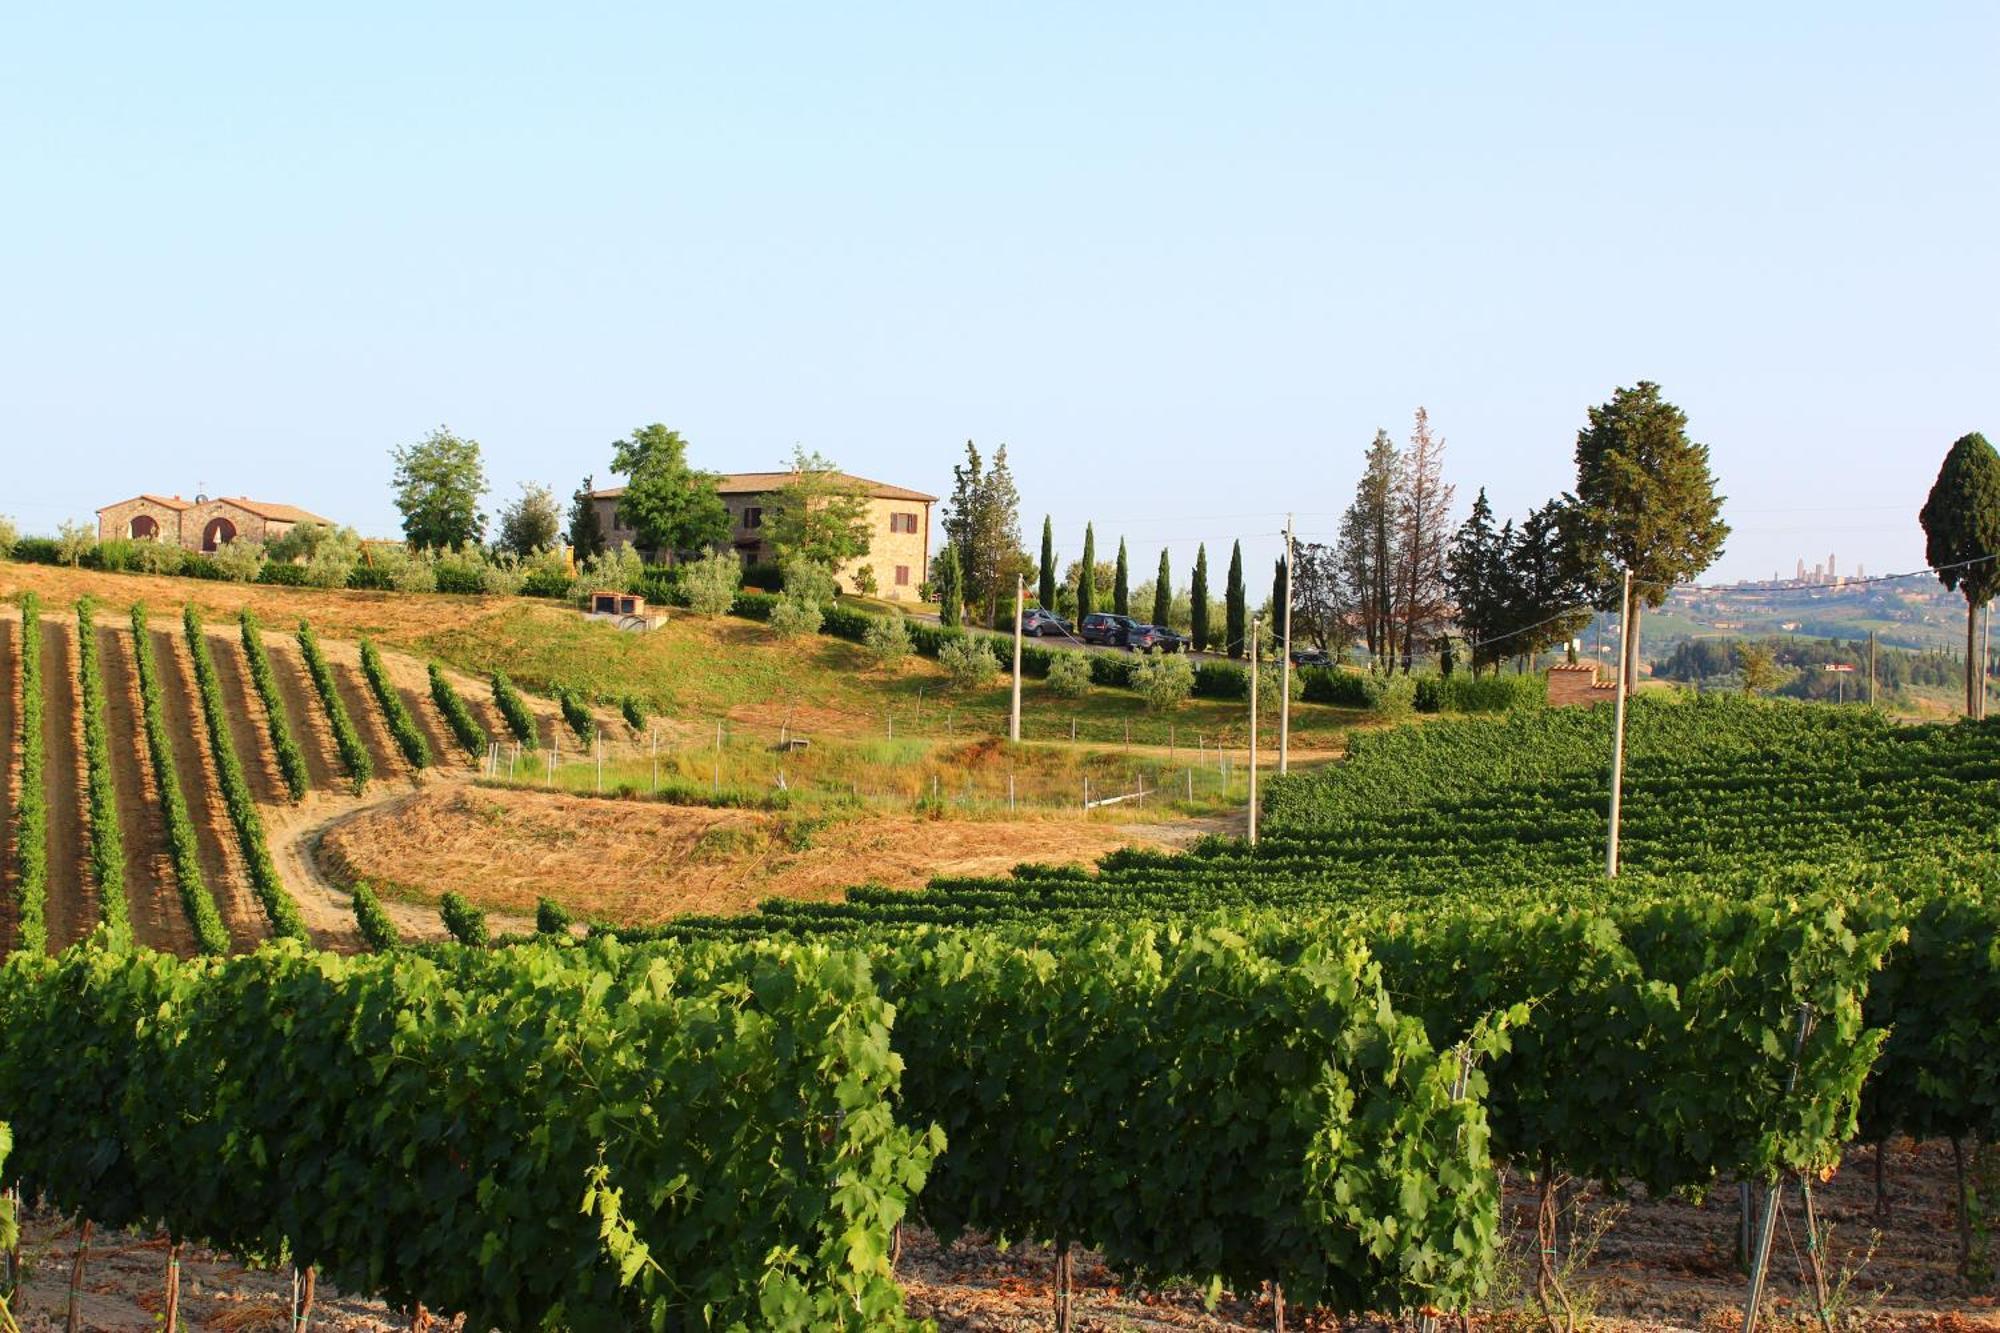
{"x": 159, "y": 920}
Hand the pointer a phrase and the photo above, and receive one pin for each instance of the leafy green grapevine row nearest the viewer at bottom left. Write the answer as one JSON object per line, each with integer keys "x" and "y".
{"x": 551, "y": 1138}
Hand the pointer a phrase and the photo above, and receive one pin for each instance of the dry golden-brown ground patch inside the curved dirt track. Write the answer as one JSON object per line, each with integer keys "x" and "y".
{"x": 641, "y": 862}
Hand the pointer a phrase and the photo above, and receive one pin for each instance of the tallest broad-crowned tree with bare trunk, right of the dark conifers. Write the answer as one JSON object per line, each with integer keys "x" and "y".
{"x": 1645, "y": 503}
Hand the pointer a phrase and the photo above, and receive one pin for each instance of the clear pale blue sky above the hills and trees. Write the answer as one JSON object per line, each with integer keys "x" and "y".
{"x": 1181, "y": 259}
